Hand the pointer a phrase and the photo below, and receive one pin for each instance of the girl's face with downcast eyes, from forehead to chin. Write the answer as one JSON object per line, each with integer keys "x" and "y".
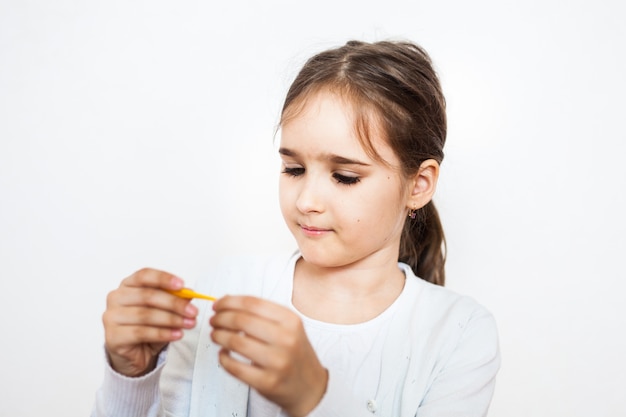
{"x": 342, "y": 206}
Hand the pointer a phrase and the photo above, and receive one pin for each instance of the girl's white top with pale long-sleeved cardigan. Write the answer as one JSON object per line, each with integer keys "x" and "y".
{"x": 434, "y": 354}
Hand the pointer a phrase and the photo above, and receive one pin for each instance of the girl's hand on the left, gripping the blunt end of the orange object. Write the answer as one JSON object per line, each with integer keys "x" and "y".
{"x": 141, "y": 318}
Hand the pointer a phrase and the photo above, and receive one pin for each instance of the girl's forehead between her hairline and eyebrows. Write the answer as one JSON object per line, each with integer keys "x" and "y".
{"x": 327, "y": 122}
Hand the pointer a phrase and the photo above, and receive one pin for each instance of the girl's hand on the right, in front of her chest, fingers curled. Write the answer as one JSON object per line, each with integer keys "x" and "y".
{"x": 283, "y": 365}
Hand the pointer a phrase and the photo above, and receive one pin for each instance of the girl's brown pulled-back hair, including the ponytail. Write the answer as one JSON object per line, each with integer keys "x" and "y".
{"x": 393, "y": 86}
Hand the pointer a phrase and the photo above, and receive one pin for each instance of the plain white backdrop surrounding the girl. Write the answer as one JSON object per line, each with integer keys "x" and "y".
{"x": 142, "y": 134}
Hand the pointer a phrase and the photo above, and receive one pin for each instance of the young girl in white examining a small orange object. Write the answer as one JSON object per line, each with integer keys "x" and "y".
{"x": 356, "y": 322}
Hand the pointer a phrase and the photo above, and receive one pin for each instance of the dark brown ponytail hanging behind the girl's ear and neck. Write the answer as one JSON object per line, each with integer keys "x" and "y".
{"x": 423, "y": 245}
